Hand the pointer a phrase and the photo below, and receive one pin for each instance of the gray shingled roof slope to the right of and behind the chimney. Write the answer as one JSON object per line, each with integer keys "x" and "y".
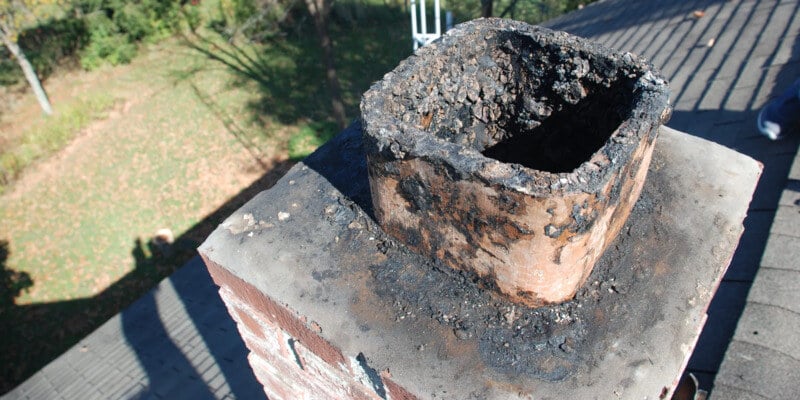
{"x": 725, "y": 59}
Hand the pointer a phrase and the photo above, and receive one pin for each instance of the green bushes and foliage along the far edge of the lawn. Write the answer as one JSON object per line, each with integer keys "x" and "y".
{"x": 98, "y": 32}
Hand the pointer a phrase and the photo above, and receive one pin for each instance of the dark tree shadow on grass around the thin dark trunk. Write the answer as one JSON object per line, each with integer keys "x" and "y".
{"x": 288, "y": 72}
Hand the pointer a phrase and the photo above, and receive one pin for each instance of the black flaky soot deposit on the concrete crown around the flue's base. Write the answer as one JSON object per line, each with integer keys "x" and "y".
{"x": 549, "y": 342}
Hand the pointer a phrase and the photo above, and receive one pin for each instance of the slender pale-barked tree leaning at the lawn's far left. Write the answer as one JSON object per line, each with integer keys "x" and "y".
{"x": 14, "y": 14}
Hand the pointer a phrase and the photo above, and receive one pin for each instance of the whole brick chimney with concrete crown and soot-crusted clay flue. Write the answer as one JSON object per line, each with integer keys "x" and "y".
{"x": 441, "y": 249}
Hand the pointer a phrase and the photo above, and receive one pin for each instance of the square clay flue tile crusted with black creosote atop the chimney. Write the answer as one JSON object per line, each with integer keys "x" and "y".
{"x": 512, "y": 151}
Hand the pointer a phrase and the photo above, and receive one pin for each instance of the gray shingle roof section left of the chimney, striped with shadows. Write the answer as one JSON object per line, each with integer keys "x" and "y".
{"x": 144, "y": 361}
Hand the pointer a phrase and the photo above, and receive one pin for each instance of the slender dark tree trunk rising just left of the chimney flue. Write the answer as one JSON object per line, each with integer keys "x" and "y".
{"x": 319, "y": 11}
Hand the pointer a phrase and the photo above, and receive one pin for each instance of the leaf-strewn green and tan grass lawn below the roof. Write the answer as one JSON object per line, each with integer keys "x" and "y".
{"x": 180, "y": 134}
